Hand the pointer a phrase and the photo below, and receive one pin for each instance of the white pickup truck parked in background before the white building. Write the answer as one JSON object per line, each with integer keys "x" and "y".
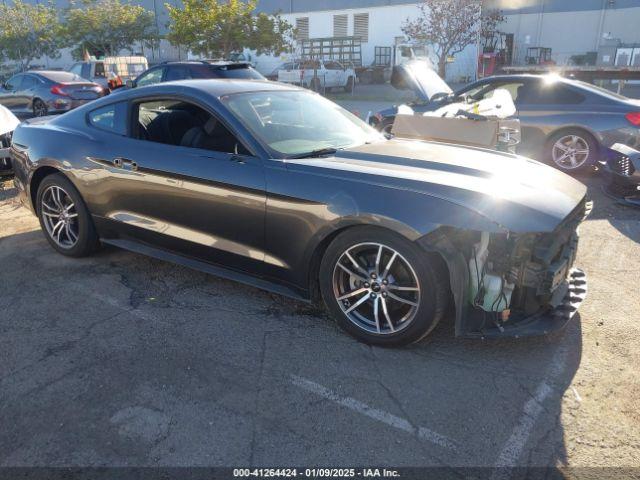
{"x": 318, "y": 74}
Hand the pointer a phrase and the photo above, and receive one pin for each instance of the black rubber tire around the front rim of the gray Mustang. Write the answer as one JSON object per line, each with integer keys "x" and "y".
{"x": 428, "y": 268}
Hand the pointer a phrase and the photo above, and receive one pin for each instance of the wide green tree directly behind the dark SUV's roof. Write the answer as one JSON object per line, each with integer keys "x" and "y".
{"x": 214, "y": 28}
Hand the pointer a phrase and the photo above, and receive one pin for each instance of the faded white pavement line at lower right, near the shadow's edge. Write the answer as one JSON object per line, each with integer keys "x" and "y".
{"x": 532, "y": 409}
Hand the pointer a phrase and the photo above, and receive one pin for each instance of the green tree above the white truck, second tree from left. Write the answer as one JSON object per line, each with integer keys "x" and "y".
{"x": 108, "y": 26}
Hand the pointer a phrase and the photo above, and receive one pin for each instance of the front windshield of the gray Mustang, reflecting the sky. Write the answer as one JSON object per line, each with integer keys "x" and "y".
{"x": 295, "y": 123}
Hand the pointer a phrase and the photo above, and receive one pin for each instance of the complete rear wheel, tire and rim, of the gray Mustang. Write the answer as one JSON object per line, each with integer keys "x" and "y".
{"x": 64, "y": 217}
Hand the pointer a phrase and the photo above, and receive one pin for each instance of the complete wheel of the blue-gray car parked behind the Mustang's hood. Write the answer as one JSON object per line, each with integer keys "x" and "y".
{"x": 572, "y": 150}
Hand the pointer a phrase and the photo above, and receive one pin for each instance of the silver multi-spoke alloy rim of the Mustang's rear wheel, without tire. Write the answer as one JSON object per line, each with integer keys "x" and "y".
{"x": 60, "y": 216}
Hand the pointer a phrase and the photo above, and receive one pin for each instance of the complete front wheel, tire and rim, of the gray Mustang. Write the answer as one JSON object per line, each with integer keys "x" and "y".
{"x": 381, "y": 288}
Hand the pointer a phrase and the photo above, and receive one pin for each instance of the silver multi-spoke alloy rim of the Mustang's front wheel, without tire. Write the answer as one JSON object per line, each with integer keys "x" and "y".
{"x": 376, "y": 288}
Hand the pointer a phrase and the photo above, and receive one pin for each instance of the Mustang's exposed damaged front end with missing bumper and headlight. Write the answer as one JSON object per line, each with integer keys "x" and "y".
{"x": 513, "y": 285}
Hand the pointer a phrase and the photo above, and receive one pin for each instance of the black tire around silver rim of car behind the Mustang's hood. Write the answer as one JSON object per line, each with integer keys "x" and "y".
{"x": 583, "y": 139}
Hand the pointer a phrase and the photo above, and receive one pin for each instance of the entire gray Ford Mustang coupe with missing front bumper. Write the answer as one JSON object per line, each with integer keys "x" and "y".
{"x": 277, "y": 187}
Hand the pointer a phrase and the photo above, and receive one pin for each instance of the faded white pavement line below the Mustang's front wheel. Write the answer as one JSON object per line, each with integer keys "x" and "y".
{"x": 379, "y": 415}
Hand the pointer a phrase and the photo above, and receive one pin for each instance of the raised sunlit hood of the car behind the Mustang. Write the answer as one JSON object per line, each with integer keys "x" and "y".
{"x": 419, "y": 76}
